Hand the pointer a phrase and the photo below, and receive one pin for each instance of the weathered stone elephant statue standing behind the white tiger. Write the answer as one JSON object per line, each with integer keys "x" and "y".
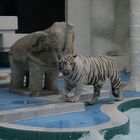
{"x": 33, "y": 59}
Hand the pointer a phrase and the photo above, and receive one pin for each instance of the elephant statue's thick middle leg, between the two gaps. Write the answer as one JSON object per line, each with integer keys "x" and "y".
{"x": 35, "y": 78}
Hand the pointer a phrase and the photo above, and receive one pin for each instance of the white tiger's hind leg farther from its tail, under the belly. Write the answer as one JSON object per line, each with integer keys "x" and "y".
{"x": 96, "y": 94}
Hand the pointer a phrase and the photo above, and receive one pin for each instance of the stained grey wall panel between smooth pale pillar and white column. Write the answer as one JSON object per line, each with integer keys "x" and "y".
{"x": 110, "y": 30}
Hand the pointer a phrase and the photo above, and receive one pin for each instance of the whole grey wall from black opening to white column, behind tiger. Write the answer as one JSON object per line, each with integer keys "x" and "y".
{"x": 101, "y": 28}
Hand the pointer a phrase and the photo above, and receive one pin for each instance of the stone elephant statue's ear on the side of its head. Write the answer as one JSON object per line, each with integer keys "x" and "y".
{"x": 38, "y": 42}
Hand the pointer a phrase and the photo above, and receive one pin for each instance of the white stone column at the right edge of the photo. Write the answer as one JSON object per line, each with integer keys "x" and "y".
{"x": 134, "y": 83}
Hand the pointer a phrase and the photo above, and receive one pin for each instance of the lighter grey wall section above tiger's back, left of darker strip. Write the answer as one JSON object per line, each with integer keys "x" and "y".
{"x": 102, "y": 22}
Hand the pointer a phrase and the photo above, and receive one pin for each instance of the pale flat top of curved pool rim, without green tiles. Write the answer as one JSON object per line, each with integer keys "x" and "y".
{"x": 117, "y": 118}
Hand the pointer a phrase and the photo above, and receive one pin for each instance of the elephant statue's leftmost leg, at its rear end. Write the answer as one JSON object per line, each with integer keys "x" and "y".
{"x": 17, "y": 75}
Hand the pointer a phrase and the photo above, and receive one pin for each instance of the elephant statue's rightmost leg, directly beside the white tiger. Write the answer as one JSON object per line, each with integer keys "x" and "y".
{"x": 51, "y": 81}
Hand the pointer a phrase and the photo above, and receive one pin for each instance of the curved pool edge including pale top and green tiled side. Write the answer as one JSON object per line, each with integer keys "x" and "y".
{"x": 118, "y": 124}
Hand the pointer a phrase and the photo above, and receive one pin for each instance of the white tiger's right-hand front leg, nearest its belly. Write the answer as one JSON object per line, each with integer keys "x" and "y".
{"x": 78, "y": 90}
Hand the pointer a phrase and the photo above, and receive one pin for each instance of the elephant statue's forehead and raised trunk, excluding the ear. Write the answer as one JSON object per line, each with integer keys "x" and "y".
{"x": 61, "y": 38}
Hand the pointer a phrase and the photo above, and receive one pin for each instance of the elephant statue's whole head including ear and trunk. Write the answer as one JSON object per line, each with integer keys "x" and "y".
{"x": 54, "y": 42}
